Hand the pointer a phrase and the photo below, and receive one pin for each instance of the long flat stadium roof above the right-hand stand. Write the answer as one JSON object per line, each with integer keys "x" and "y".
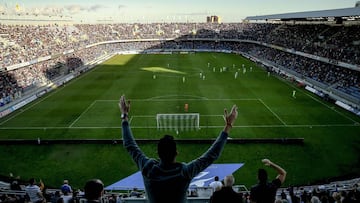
{"x": 344, "y": 12}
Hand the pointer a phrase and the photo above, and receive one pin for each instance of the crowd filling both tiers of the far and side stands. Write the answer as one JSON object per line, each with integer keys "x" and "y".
{"x": 26, "y": 43}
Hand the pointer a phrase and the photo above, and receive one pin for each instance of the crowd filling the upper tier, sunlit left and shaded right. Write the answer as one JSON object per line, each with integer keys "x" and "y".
{"x": 25, "y": 43}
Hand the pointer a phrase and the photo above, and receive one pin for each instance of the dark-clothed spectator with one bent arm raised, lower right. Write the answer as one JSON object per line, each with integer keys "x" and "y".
{"x": 264, "y": 191}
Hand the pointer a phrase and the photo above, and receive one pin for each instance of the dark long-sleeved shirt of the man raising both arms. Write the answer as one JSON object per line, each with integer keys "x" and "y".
{"x": 169, "y": 183}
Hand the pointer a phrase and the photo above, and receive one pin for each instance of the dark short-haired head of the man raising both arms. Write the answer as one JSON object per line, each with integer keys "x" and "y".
{"x": 167, "y": 148}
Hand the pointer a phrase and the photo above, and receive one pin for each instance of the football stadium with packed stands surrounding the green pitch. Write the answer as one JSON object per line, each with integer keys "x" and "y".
{"x": 295, "y": 78}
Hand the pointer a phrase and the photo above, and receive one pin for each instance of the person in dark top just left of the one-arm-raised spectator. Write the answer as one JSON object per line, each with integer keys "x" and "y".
{"x": 226, "y": 193}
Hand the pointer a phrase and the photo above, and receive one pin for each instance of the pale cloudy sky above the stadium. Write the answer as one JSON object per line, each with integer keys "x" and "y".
{"x": 144, "y": 11}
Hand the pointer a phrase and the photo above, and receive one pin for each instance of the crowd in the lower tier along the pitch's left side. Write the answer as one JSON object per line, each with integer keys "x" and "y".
{"x": 15, "y": 82}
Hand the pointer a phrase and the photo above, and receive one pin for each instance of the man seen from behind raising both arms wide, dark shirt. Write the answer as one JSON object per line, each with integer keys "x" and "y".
{"x": 167, "y": 180}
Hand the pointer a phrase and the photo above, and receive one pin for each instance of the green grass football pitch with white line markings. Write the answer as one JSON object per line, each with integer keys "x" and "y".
{"x": 87, "y": 108}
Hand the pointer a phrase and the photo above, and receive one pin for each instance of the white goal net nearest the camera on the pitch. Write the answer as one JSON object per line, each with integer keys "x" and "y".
{"x": 178, "y": 122}
